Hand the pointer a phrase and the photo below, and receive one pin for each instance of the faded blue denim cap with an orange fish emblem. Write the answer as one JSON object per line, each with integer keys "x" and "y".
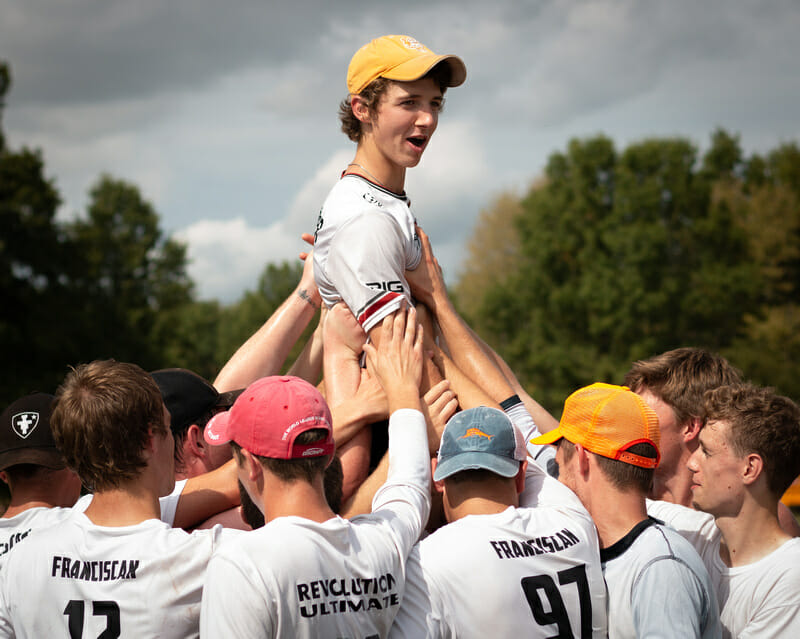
{"x": 480, "y": 438}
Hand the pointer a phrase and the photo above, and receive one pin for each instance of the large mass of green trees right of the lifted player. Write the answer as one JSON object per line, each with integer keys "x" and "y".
{"x": 613, "y": 256}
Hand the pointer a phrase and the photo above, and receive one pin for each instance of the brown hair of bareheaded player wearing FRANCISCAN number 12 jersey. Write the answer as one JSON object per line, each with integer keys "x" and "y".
{"x": 102, "y": 420}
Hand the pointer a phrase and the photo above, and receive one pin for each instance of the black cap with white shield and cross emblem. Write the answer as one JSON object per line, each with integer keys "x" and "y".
{"x": 25, "y": 435}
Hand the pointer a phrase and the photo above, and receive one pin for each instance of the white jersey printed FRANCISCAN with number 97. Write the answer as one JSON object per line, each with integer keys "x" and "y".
{"x": 532, "y": 571}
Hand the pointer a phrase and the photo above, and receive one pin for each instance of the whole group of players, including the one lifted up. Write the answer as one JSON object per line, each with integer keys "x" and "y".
{"x": 398, "y": 481}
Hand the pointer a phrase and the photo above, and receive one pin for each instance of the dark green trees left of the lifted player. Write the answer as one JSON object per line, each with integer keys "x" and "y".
{"x": 108, "y": 283}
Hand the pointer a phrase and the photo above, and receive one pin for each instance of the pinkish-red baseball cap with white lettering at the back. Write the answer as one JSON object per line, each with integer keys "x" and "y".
{"x": 269, "y": 415}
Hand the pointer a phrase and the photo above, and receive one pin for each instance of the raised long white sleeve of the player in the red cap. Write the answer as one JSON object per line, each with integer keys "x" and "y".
{"x": 405, "y": 498}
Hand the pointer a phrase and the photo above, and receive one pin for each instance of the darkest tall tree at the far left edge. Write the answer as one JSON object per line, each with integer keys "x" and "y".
{"x": 38, "y": 314}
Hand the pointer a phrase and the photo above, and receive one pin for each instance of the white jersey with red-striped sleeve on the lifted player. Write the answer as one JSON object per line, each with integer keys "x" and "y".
{"x": 364, "y": 241}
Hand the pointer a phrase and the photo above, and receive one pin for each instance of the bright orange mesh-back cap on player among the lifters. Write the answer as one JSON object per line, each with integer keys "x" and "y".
{"x": 607, "y": 420}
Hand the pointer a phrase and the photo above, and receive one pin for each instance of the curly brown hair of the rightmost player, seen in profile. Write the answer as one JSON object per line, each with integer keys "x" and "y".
{"x": 760, "y": 421}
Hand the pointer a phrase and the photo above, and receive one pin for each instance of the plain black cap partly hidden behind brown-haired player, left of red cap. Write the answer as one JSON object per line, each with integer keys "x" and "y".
{"x": 188, "y": 397}
